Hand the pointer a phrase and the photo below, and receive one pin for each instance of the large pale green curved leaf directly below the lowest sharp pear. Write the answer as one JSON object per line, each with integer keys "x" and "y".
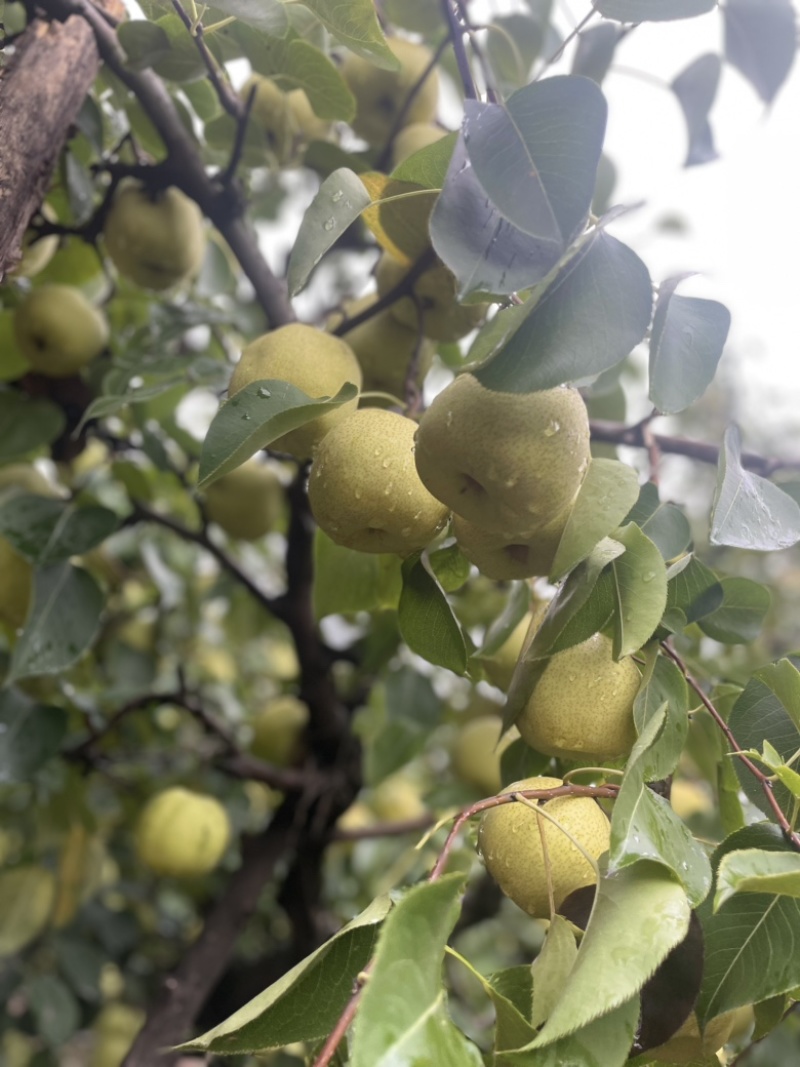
{"x": 639, "y": 916}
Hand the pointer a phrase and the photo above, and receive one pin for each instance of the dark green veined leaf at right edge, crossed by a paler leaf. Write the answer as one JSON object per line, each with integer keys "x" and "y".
{"x": 753, "y": 943}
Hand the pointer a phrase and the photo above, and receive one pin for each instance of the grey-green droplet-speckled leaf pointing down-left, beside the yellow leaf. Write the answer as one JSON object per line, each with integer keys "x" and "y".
{"x": 340, "y": 201}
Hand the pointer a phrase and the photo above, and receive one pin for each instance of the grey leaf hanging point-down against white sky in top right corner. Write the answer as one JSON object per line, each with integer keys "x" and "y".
{"x": 761, "y": 42}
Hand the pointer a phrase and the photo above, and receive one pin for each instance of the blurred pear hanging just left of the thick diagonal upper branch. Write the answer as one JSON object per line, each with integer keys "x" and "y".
{"x": 156, "y": 241}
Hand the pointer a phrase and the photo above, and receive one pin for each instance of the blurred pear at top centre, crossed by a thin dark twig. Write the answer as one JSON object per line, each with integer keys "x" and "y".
{"x": 380, "y": 95}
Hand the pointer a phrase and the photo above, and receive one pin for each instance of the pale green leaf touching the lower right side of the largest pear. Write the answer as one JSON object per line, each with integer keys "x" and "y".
{"x": 606, "y": 496}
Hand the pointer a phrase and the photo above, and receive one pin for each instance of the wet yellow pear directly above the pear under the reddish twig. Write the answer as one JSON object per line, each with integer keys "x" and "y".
{"x": 583, "y": 706}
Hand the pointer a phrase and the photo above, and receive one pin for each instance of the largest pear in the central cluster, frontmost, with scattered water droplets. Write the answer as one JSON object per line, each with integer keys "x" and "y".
{"x": 509, "y": 463}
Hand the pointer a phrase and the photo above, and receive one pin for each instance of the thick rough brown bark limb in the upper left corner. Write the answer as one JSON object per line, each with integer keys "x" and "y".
{"x": 41, "y": 94}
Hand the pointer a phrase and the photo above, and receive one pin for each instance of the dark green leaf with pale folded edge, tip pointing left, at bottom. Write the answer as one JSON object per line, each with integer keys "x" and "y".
{"x": 306, "y": 1004}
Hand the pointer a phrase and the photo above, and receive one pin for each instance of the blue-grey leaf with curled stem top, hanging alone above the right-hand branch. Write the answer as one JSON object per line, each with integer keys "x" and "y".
{"x": 685, "y": 347}
